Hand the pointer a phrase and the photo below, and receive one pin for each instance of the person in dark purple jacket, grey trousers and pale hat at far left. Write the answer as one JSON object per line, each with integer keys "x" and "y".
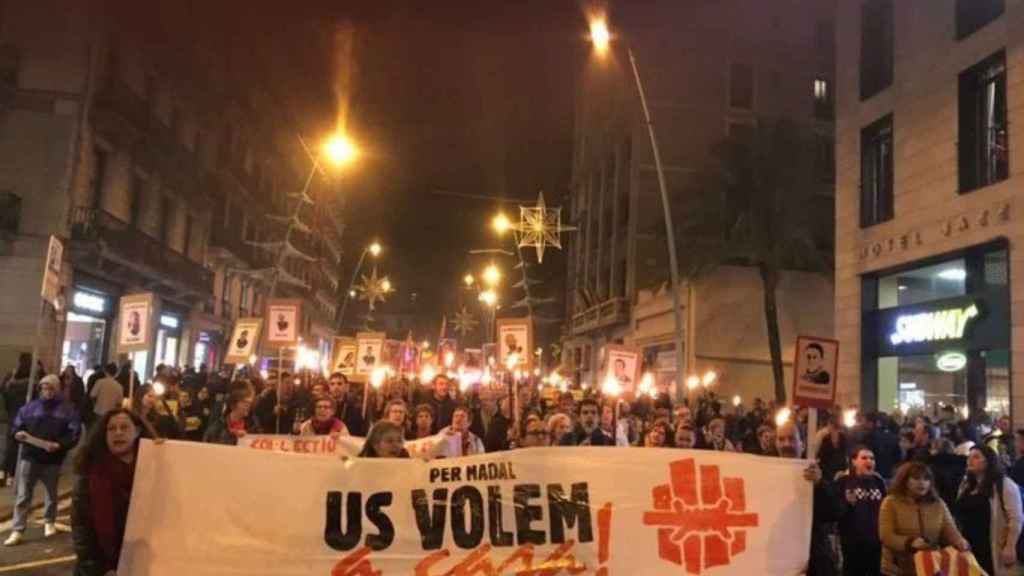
{"x": 48, "y": 429}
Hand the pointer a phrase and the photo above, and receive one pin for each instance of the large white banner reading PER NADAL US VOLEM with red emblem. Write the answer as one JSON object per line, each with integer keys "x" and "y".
{"x": 613, "y": 512}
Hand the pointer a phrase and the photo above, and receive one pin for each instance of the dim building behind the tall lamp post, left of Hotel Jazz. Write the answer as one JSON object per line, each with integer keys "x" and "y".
{"x": 710, "y": 70}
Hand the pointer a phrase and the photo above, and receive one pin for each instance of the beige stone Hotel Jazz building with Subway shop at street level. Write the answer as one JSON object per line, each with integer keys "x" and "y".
{"x": 928, "y": 254}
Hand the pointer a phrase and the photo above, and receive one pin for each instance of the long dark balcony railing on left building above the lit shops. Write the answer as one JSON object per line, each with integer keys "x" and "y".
{"x": 134, "y": 249}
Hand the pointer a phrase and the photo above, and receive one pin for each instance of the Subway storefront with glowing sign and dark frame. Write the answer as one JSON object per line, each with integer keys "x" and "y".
{"x": 936, "y": 334}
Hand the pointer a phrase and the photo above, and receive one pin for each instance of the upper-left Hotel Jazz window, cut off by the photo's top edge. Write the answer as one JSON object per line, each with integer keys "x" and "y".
{"x": 876, "y": 48}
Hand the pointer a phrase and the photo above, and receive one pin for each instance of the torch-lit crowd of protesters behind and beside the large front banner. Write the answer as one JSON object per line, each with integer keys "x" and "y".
{"x": 885, "y": 486}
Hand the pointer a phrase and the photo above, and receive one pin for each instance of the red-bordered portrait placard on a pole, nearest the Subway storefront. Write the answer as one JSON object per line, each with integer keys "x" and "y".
{"x": 815, "y": 373}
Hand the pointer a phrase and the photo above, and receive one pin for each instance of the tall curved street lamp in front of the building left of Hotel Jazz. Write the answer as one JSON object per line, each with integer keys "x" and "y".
{"x": 602, "y": 38}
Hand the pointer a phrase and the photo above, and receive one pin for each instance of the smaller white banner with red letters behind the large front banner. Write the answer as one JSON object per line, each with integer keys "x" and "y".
{"x": 437, "y": 446}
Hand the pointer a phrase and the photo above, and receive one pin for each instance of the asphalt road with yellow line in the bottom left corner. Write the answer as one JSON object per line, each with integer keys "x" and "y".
{"x": 38, "y": 556}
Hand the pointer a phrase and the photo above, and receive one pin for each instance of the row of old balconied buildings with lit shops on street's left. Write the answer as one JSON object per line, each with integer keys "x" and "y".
{"x": 136, "y": 135}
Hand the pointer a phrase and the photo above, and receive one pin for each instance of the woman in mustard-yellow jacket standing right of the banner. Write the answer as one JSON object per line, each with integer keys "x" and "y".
{"x": 914, "y": 518}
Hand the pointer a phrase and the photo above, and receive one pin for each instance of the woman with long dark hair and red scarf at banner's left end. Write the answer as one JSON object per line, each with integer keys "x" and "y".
{"x": 100, "y": 505}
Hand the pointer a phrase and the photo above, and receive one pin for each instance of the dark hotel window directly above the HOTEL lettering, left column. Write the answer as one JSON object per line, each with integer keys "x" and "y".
{"x": 877, "y": 173}
